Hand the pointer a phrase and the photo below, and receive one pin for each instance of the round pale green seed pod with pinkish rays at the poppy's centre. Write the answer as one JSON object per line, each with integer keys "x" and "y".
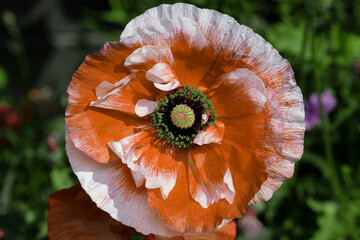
{"x": 182, "y": 116}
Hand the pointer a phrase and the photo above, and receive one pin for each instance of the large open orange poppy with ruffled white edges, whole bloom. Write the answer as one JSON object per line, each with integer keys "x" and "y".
{"x": 184, "y": 122}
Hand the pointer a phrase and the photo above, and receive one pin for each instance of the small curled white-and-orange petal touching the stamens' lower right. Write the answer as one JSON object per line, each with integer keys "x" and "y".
{"x": 212, "y": 134}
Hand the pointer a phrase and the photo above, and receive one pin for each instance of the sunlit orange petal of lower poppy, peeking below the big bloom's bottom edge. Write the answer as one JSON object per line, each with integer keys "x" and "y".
{"x": 227, "y": 232}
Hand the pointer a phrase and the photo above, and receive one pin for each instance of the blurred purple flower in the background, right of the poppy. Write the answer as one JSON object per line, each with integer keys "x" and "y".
{"x": 312, "y": 108}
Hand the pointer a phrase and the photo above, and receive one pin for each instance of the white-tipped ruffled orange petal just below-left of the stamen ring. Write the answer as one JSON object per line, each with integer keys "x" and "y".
{"x": 141, "y": 153}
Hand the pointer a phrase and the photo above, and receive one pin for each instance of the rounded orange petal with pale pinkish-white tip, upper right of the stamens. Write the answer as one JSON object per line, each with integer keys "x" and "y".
{"x": 238, "y": 93}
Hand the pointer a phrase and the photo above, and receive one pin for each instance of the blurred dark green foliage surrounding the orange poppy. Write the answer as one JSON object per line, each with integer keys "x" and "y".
{"x": 43, "y": 42}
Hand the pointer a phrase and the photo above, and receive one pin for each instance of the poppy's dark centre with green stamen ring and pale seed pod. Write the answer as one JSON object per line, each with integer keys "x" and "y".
{"x": 181, "y": 115}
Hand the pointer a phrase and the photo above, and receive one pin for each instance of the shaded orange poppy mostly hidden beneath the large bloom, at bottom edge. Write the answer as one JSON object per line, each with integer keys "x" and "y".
{"x": 72, "y": 215}
